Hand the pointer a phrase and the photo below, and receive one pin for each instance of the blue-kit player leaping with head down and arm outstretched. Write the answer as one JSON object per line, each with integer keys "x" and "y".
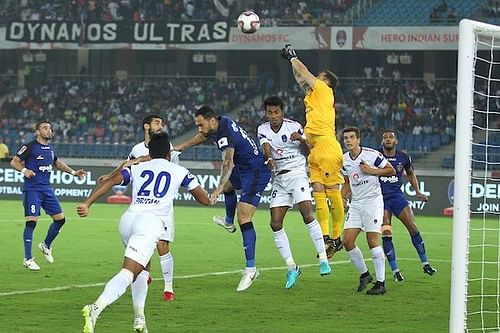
{"x": 243, "y": 169}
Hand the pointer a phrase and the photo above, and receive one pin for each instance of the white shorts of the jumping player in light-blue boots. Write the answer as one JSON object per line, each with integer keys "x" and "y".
{"x": 290, "y": 188}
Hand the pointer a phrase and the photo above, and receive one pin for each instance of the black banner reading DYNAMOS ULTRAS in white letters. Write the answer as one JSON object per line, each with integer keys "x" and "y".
{"x": 119, "y": 32}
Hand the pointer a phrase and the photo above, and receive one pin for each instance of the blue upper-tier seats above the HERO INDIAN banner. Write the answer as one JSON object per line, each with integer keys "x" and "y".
{"x": 408, "y": 13}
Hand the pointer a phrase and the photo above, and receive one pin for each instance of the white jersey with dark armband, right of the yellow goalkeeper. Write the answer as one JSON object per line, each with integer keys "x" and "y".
{"x": 364, "y": 187}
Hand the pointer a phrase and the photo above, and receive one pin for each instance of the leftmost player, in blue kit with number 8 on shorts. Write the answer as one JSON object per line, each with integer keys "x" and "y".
{"x": 35, "y": 161}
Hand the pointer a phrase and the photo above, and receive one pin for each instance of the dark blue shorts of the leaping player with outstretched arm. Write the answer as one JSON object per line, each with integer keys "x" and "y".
{"x": 251, "y": 183}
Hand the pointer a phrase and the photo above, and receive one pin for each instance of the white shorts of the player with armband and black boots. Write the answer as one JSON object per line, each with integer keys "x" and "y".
{"x": 365, "y": 216}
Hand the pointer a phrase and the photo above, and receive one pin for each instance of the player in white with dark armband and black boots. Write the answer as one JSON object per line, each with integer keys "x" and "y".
{"x": 361, "y": 169}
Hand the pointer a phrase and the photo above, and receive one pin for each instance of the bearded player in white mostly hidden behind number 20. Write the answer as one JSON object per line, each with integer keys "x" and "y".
{"x": 151, "y": 124}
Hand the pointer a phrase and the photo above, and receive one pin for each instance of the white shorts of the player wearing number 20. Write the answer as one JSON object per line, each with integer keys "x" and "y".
{"x": 140, "y": 232}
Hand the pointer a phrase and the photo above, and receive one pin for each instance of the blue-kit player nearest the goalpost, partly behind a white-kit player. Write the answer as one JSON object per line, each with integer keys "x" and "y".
{"x": 396, "y": 204}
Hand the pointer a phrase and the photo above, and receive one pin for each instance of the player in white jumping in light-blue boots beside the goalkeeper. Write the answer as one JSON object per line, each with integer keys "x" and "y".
{"x": 284, "y": 145}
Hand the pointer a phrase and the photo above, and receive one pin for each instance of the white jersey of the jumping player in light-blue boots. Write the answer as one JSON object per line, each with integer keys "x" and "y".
{"x": 287, "y": 153}
